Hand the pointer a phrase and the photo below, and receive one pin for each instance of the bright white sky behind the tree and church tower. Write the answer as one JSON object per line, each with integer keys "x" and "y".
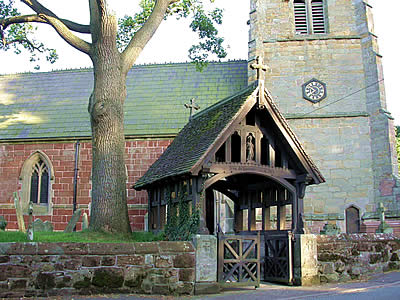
{"x": 173, "y": 39}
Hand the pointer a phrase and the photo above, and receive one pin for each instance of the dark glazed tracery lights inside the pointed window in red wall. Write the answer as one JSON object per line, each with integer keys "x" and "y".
{"x": 40, "y": 183}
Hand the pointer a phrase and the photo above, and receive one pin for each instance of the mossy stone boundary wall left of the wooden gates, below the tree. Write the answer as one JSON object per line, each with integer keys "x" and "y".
{"x": 50, "y": 269}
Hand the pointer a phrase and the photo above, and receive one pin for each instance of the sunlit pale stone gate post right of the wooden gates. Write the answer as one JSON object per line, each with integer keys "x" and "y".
{"x": 305, "y": 260}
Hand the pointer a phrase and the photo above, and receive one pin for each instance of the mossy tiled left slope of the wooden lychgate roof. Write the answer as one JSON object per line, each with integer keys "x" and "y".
{"x": 195, "y": 139}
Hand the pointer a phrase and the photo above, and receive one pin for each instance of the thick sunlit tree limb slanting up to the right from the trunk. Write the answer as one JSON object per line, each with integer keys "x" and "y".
{"x": 145, "y": 33}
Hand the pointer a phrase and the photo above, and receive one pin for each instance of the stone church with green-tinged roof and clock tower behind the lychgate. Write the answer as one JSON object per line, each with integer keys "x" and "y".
{"x": 323, "y": 73}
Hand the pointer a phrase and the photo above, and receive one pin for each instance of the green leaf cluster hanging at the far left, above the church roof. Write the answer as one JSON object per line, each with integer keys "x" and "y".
{"x": 19, "y": 37}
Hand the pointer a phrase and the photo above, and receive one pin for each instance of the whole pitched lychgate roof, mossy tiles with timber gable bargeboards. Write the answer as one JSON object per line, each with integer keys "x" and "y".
{"x": 190, "y": 148}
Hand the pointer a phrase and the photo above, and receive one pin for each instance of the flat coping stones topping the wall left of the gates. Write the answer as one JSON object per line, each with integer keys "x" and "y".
{"x": 38, "y": 248}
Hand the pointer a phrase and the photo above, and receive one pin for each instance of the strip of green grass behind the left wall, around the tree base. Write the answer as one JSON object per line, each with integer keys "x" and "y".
{"x": 80, "y": 237}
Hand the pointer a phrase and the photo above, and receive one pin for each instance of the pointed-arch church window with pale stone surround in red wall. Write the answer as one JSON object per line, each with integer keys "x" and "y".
{"x": 36, "y": 177}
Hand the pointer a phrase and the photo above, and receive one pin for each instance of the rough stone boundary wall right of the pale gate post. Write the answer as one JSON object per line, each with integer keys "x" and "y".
{"x": 345, "y": 257}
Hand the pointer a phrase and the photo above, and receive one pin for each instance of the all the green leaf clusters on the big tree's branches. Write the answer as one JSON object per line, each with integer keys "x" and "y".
{"x": 20, "y": 36}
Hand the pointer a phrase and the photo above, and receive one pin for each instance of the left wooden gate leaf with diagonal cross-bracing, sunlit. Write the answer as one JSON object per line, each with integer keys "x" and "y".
{"x": 239, "y": 260}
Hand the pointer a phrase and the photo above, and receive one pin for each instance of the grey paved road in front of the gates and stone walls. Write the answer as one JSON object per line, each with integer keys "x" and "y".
{"x": 380, "y": 287}
